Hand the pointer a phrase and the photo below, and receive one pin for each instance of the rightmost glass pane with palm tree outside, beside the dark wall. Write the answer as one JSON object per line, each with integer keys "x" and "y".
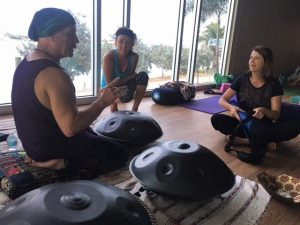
{"x": 214, "y": 18}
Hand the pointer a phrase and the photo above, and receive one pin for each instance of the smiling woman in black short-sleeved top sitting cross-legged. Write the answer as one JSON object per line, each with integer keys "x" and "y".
{"x": 260, "y": 94}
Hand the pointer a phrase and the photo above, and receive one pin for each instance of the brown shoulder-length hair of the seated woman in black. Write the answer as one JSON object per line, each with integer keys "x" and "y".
{"x": 267, "y": 55}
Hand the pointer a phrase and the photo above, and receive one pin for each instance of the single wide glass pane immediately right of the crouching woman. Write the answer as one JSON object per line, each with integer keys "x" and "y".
{"x": 155, "y": 23}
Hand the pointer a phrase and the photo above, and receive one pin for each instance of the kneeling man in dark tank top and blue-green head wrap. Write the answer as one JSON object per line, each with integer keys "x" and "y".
{"x": 50, "y": 126}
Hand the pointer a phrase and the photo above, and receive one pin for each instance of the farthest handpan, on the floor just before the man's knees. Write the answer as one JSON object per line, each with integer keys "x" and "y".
{"x": 129, "y": 127}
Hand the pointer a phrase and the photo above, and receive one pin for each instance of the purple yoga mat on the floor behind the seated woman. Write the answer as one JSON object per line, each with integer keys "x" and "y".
{"x": 208, "y": 105}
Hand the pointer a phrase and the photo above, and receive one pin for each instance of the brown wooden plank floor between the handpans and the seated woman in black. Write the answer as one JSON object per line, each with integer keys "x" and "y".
{"x": 179, "y": 123}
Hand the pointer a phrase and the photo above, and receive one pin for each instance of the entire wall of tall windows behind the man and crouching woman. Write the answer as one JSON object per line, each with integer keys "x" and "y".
{"x": 177, "y": 39}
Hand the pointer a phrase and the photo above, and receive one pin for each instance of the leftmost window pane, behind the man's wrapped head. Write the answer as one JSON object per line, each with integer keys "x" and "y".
{"x": 14, "y": 43}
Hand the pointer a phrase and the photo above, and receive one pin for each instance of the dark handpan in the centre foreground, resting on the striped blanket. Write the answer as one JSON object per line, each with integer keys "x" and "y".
{"x": 182, "y": 170}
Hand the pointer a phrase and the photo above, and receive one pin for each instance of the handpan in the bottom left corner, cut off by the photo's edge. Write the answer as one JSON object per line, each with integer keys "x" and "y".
{"x": 77, "y": 202}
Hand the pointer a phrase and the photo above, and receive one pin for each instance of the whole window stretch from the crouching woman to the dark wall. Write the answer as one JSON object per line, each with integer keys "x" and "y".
{"x": 180, "y": 40}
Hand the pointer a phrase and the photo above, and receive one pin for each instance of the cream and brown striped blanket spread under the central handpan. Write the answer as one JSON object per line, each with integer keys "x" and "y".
{"x": 244, "y": 204}
